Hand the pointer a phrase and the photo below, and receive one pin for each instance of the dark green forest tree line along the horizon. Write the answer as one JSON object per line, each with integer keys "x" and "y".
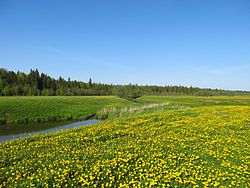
{"x": 40, "y": 84}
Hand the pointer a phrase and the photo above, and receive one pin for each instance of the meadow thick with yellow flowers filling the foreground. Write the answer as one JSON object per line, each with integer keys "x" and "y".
{"x": 196, "y": 147}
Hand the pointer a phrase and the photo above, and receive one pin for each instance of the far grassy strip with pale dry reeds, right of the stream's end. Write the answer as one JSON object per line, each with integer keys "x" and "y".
{"x": 153, "y": 104}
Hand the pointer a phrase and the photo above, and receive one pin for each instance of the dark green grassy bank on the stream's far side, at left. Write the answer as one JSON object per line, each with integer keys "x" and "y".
{"x": 45, "y": 109}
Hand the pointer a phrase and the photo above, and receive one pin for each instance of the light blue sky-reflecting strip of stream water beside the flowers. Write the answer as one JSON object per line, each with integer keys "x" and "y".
{"x": 61, "y": 127}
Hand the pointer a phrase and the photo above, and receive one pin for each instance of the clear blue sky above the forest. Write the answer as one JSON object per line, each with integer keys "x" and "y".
{"x": 147, "y": 42}
